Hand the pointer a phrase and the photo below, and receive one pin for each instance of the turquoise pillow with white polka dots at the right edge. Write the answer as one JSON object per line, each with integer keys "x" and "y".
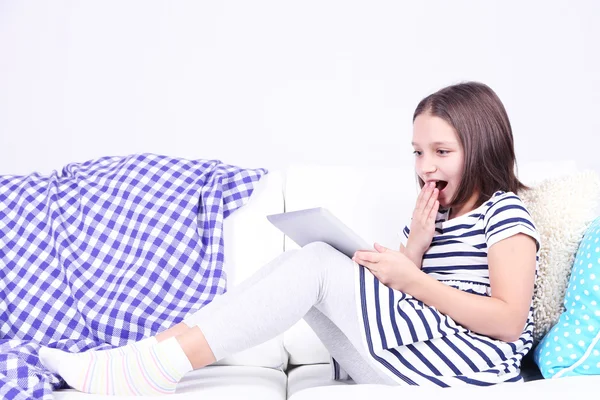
{"x": 572, "y": 346}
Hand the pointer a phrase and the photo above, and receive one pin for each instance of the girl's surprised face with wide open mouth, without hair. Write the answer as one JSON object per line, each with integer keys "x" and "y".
{"x": 439, "y": 156}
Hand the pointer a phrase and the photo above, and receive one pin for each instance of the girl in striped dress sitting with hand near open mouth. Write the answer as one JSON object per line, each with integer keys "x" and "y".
{"x": 452, "y": 306}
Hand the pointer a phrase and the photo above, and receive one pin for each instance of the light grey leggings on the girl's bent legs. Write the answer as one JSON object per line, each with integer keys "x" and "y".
{"x": 315, "y": 283}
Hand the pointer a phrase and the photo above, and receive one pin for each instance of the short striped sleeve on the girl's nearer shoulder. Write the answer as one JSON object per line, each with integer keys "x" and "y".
{"x": 506, "y": 217}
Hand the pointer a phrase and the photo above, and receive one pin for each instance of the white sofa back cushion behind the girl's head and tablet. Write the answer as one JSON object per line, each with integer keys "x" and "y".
{"x": 376, "y": 202}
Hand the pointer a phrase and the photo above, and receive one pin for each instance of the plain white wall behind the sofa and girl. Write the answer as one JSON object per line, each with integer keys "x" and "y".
{"x": 272, "y": 82}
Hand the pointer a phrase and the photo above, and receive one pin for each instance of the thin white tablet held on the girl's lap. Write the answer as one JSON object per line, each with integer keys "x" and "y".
{"x": 319, "y": 225}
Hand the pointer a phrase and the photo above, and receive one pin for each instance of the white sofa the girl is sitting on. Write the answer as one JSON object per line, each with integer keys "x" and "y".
{"x": 375, "y": 202}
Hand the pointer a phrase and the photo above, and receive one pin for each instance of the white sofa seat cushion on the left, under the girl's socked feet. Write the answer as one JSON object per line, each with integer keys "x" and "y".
{"x": 212, "y": 383}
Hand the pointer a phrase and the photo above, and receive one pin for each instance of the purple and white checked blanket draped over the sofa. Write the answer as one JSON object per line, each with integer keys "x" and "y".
{"x": 110, "y": 251}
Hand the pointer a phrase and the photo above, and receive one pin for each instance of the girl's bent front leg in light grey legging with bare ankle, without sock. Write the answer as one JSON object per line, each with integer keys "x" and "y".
{"x": 317, "y": 275}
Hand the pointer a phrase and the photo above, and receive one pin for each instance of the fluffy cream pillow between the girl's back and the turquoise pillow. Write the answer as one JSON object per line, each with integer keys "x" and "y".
{"x": 561, "y": 208}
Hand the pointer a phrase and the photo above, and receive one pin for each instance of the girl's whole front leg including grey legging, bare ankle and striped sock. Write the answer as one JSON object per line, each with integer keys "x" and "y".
{"x": 316, "y": 276}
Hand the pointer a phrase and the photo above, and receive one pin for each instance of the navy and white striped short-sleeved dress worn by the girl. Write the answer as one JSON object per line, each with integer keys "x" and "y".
{"x": 414, "y": 343}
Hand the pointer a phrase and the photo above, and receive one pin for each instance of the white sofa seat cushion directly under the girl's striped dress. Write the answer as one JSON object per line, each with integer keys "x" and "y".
{"x": 577, "y": 387}
